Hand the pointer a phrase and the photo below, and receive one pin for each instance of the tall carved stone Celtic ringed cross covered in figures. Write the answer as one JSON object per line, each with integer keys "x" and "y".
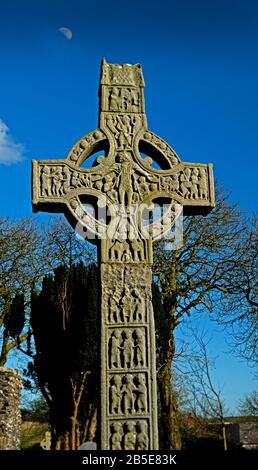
{"x": 138, "y": 169}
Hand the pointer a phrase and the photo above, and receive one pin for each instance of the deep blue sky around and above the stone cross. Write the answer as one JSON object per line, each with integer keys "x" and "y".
{"x": 200, "y": 63}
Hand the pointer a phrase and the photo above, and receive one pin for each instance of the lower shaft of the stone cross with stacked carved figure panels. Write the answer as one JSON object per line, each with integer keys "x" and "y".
{"x": 128, "y": 330}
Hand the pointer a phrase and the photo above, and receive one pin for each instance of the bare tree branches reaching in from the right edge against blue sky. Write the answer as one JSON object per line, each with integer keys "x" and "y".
{"x": 239, "y": 310}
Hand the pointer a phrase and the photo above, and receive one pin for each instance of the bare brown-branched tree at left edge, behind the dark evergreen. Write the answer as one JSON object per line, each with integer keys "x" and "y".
{"x": 28, "y": 252}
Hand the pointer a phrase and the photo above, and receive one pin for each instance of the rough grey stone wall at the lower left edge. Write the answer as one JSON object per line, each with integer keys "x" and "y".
{"x": 10, "y": 415}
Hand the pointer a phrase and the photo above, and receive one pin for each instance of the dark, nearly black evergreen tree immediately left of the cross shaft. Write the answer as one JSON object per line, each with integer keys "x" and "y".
{"x": 64, "y": 322}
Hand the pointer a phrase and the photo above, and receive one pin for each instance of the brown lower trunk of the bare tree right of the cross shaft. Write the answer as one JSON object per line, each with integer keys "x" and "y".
{"x": 168, "y": 417}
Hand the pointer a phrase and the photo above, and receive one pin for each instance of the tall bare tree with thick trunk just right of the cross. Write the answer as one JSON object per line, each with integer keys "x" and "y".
{"x": 200, "y": 277}
